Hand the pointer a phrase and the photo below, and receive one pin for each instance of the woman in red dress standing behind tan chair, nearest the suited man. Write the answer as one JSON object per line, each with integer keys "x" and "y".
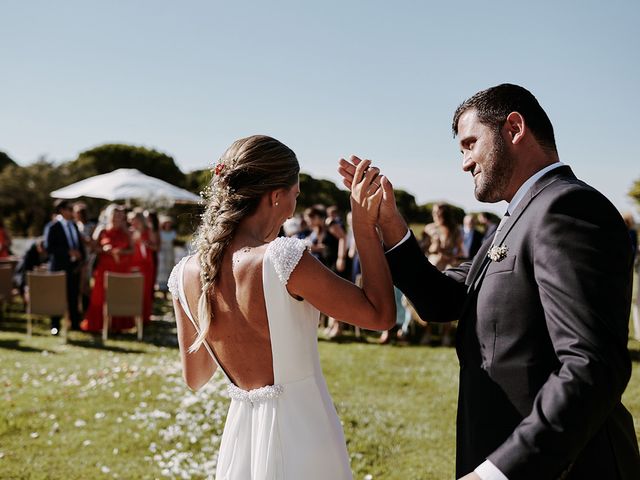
{"x": 114, "y": 249}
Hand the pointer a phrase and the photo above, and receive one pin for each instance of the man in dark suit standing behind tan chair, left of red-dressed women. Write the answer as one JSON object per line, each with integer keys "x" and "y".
{"x": 66, "y": 252}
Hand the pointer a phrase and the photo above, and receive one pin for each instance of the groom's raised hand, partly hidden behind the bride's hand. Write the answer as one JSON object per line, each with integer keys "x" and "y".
{"x": 391, "y": 223}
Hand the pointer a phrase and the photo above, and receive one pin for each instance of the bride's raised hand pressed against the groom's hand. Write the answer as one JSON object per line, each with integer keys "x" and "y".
{"x": 366, "y": 193}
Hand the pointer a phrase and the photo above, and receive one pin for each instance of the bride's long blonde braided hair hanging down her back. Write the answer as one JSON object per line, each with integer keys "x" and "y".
{"x": 250, "y": 168}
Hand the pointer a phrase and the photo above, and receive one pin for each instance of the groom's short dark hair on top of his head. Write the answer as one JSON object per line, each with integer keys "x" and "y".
{"x": 494, "y": 104}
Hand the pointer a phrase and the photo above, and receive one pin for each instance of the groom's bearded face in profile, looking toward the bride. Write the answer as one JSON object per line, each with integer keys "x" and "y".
{"x": 485, "y": 156}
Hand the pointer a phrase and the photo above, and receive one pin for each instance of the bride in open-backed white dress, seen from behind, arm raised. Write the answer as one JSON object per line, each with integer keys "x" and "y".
{"x": 248, "y": 303}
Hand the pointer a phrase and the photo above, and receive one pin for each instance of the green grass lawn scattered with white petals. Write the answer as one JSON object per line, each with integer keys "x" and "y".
{"x": 84, "y": 410}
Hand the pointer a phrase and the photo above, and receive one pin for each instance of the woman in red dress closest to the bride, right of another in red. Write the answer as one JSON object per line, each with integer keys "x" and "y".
{"x": 142, "y": 260}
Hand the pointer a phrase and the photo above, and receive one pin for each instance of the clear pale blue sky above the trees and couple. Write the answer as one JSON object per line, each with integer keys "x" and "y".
{"x": 379, "y": 79}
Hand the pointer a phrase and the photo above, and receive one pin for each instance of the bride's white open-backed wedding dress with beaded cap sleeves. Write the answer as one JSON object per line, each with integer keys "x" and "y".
{"x": 289, "y": 430}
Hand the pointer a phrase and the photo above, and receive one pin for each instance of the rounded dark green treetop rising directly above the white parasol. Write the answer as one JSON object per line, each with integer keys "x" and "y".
{"x": 109, "y": 157}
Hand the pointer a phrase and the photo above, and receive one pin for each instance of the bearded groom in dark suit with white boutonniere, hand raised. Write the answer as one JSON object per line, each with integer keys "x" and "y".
{"x": 543, "y": 308}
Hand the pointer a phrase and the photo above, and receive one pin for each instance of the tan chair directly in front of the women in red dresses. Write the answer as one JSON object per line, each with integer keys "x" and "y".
{"x": 123, "y": 298}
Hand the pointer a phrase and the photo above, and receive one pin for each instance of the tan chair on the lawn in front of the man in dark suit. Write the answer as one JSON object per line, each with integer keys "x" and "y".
{"x": 47, "y": 297}
